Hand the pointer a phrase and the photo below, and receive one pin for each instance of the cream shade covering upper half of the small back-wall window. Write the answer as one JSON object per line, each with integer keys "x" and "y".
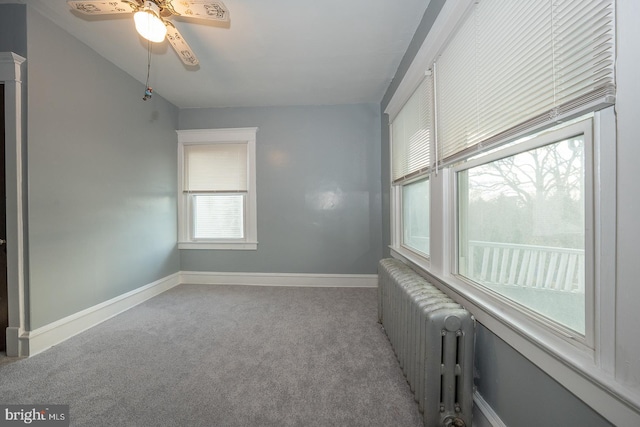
{"x": 215, "y": 168}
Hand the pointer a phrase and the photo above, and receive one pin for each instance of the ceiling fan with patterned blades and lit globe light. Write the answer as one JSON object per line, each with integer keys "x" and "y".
{"x": 151, "y": 21}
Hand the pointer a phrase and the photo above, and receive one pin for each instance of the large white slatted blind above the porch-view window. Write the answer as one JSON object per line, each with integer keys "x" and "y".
{"x": 514, "y": 65}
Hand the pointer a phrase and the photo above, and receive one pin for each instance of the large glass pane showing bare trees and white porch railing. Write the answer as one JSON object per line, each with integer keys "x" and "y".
{"x": 522, "y": 229}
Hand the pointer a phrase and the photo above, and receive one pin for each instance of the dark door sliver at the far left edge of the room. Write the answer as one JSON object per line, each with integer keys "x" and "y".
{"x": 4, "y": 300}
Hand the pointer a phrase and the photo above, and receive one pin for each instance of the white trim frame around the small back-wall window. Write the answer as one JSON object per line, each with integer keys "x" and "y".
{"x": 219, "y": 136}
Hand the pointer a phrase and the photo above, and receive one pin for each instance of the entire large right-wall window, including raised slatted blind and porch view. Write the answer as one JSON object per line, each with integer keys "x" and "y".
{"x": 510, "y": 70}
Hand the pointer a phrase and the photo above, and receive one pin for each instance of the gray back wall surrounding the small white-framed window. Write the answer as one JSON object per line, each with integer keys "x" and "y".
{"x": 318, "y": 189}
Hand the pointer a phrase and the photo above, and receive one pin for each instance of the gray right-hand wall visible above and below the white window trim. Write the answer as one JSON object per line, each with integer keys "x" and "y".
{"x": 520, "y": 393}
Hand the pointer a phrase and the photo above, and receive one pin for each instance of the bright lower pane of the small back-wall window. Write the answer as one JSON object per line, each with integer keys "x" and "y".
{"x": 218, "y": 216}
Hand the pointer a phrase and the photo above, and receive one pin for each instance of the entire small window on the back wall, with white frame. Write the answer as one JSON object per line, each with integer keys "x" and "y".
{"x": 217, "y": 196}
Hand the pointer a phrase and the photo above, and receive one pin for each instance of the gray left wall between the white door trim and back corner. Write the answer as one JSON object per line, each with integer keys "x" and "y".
{"x": 101, "y": 175}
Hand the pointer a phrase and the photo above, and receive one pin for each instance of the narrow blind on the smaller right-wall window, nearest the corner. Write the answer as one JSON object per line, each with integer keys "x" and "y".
{"x": 412, "y": 134}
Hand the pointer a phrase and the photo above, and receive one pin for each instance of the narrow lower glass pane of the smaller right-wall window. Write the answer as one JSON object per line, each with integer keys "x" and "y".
{"x": 415, "y": 215}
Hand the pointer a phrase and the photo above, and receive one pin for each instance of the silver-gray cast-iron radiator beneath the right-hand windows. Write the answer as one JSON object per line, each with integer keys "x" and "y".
{"x": 433, "y": 338}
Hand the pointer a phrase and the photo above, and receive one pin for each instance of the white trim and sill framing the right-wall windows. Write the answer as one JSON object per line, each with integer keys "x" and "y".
{"x": 587, "y": 373}
